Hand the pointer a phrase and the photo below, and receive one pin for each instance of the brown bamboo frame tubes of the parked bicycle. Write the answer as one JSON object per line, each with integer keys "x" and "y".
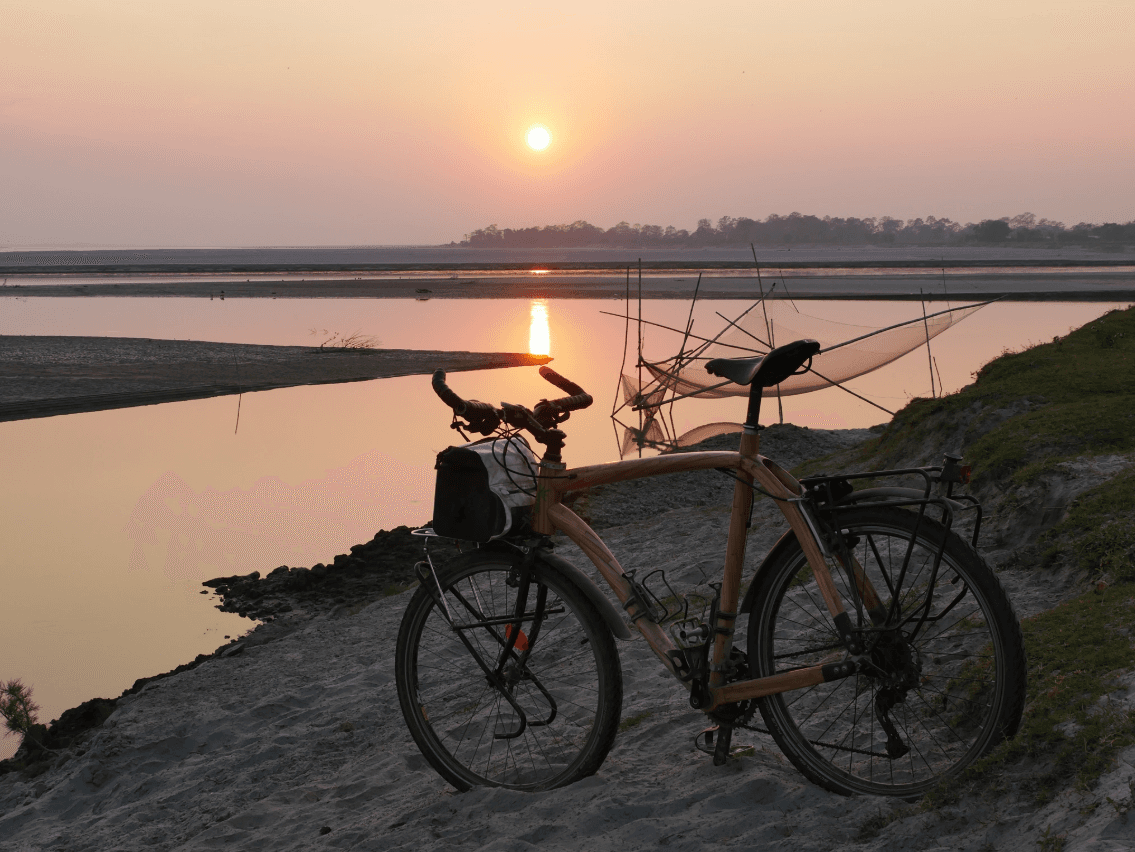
{"x": 550, "y": 514}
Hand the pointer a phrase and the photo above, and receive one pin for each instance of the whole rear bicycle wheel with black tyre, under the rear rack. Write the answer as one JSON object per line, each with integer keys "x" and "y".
{"x": 963, "y": 669}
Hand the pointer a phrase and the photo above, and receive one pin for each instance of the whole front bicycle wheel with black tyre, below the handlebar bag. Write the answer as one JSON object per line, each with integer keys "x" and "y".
{"x": 569, "y": 689}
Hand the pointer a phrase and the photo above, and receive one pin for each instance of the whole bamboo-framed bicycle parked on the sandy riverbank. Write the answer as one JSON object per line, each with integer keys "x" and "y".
{"x": 881, "y": 652}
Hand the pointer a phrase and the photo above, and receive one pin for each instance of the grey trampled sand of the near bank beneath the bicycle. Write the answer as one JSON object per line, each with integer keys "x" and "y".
{"x": 292, "y": 739}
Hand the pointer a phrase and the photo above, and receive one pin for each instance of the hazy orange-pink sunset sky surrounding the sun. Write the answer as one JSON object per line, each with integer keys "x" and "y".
{"x": 382, "y": 122}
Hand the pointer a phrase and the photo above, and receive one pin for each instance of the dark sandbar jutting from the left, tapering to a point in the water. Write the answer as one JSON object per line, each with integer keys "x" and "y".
{"x": 45, "y": 376}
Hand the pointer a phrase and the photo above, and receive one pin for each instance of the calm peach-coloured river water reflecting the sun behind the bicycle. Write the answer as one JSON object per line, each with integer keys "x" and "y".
{"x": 113, "y": 519}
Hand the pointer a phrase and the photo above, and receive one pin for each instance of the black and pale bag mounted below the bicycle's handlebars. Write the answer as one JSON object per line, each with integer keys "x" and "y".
{"x": 481, "y": 485}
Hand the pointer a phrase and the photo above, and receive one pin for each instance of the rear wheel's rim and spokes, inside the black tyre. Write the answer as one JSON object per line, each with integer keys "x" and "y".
{"x": 936, "y": 680}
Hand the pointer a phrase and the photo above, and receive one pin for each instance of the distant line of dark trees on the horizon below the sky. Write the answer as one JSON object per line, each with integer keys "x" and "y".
{"x": 796, "y": 229}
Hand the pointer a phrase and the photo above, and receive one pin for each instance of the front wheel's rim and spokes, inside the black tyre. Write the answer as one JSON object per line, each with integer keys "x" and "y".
{"x": 544, "y": 733}
